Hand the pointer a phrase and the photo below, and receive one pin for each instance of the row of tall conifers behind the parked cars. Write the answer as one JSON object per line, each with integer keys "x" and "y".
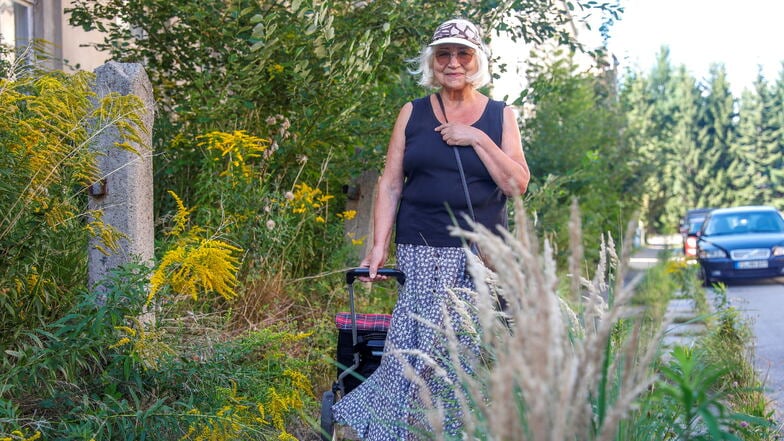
{"x": 704, "y": 147}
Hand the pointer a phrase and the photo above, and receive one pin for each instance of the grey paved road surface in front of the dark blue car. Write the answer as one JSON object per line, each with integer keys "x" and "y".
{"x": 762, "y": 302}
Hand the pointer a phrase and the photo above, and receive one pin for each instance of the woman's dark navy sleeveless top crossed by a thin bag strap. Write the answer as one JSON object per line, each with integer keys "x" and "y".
{"x": 433, "y": 197}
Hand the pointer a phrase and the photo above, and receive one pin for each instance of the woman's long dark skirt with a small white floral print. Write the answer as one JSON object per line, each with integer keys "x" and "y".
{"x": 417, "y": 374}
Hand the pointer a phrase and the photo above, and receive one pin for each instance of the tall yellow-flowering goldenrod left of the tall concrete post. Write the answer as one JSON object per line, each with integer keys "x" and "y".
{"x": 47, "y": 124}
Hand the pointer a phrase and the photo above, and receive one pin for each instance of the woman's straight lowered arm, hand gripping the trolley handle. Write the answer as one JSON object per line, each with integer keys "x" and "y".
{"x": 390, "y": 187}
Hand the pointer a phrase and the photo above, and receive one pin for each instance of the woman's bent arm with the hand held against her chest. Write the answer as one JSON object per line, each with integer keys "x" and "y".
{"x": 506, "y": 165}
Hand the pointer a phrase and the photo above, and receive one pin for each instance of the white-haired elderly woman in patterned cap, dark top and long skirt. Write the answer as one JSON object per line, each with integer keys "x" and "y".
{"x": 452, "y": 155}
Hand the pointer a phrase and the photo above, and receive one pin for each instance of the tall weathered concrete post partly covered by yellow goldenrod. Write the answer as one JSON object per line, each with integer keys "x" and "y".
{"x": 125, "y": 194}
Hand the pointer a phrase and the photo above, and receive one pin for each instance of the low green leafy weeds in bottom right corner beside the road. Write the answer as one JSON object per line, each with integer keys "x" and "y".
{"x": 708, "y": 390}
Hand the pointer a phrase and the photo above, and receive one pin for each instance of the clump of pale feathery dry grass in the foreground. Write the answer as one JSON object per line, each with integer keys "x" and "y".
{"x": 557, "y": 366}
